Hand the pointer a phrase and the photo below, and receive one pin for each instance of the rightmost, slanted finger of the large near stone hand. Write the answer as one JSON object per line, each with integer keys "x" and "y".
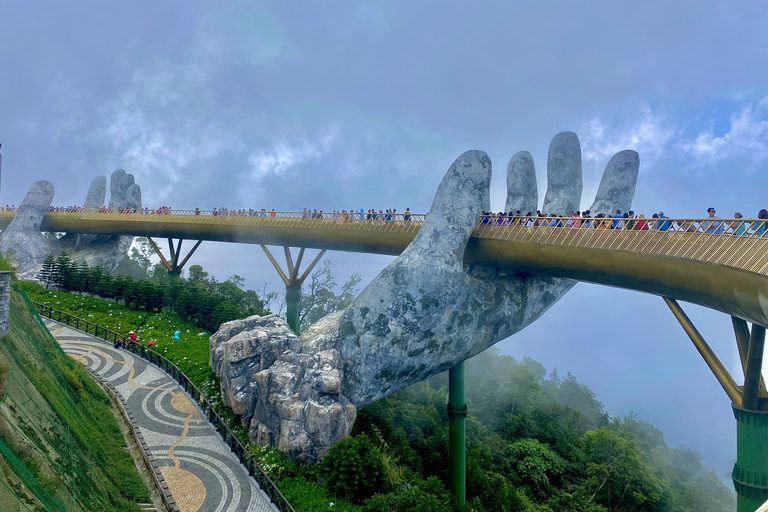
{"x": 617, "y": 186}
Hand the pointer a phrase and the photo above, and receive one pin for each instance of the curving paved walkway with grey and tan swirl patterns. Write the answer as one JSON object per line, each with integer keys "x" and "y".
{"x": 201, "y": 472}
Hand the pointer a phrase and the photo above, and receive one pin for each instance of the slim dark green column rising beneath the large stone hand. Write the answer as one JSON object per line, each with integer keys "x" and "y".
{"x": 457, "y": 411}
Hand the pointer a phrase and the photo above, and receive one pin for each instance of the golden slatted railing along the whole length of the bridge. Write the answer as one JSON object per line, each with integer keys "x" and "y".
{"x": 738, "y": 243}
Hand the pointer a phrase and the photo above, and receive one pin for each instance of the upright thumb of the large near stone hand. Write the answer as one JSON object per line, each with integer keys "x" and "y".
{"x": 462, "y": 196}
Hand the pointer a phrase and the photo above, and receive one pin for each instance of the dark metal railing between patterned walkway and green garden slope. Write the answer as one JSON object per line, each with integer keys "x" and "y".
{"x": 245, "y": 458}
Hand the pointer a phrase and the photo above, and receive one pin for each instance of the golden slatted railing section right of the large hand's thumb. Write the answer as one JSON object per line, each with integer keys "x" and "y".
{"x": 739, "y": 243}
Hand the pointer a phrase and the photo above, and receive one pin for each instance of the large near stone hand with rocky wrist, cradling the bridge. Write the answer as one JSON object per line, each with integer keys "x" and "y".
{"x": 424, "y": 313}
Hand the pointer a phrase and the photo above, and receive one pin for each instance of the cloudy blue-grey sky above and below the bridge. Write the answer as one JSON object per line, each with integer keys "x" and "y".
{"x": 339, "y": 105}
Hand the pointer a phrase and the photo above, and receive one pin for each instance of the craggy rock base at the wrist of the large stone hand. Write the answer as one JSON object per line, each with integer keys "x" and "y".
{"x": 287, "y": 398}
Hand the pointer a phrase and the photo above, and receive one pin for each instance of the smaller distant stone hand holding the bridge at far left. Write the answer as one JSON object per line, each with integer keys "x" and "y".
{"x": 26, "y": 247}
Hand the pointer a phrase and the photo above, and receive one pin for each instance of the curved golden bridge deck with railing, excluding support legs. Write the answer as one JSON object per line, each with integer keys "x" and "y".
{"x": 721, "y": 271}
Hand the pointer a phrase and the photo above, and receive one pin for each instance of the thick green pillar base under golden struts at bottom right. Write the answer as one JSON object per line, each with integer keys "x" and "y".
{"x": 750, "y": 473}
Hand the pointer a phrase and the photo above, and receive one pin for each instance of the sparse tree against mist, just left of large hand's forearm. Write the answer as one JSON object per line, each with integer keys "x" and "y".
{"x": 320, "y": 299}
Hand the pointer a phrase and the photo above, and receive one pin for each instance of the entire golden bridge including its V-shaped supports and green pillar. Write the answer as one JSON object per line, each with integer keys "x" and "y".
{"x": 721, "y": 264}
